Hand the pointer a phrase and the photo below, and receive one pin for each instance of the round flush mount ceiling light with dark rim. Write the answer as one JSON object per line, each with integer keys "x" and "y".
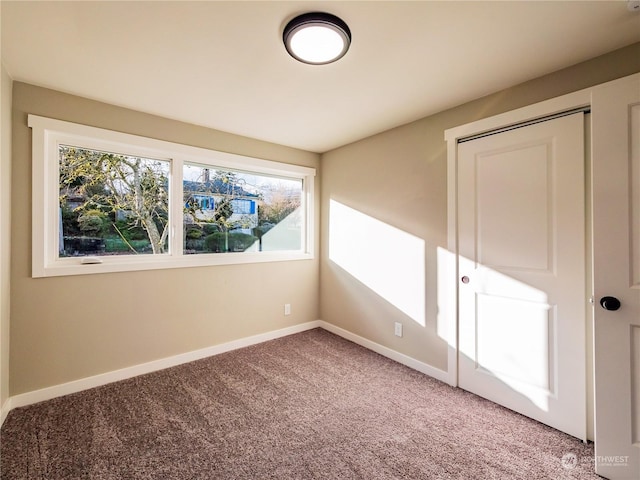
{"x": 317, "y": 38}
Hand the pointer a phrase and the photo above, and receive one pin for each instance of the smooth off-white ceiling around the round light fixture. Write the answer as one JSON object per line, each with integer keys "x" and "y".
{"x": 223, "y": 64}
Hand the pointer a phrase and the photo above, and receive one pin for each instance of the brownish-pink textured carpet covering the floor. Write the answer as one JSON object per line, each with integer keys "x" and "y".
{"x": 307, "y": 406}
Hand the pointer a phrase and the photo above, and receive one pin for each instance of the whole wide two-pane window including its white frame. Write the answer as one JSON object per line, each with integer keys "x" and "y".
{"x": 105, "y": 201}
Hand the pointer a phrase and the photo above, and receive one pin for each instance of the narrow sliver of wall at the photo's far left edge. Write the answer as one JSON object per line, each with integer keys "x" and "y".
{"x": 5, "y": 229}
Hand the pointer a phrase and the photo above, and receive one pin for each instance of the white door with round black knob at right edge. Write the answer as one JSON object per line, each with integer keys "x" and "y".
{"x": 616, "y": 270}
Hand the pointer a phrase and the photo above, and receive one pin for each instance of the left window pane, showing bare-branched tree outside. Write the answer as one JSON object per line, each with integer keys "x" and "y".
{"x": 112, "y": 204}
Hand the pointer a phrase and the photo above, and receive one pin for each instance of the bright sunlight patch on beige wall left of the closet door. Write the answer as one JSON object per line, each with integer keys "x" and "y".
{"x": 387, "y": 260}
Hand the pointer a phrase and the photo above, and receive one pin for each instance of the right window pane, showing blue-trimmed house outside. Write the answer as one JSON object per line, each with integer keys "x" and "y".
{"x": 232, "y": 211}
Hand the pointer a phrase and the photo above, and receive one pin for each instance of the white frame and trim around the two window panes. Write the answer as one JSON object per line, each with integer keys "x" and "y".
{"x": 48, "y": 134}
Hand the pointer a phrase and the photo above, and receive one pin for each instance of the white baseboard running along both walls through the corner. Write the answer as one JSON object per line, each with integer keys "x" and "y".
{"x": 75, "y": 386}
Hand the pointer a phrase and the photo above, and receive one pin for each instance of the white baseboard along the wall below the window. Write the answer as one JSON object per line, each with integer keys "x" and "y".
{"x": 75, "y": 386}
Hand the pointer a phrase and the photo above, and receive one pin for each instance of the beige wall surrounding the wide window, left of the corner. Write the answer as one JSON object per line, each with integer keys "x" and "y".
{"x": 68, "y": 328}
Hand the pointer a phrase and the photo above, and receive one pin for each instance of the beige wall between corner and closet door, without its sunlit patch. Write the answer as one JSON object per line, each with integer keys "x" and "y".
{"x": 399, "y": 177}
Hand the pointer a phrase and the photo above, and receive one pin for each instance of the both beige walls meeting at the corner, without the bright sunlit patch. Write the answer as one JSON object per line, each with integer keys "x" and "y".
{"x": 67, "y": 328}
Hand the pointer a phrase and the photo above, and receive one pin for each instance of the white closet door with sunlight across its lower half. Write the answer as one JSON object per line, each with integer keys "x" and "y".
{"x": 521, "y": 227}
